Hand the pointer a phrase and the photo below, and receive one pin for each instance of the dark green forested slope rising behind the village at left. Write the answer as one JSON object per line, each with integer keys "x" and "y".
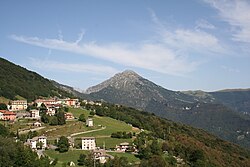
{"x": 17, "y": 81}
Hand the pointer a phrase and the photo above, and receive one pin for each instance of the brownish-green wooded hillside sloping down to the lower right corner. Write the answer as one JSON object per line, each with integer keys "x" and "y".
{"x": 195, "y": 146}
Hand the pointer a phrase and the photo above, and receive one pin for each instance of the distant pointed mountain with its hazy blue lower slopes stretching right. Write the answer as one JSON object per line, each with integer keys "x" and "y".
{"x": 196, "y": 108}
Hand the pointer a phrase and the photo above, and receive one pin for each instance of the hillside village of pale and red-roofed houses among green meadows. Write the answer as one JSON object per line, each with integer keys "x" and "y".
{"x": 78, "y": 139}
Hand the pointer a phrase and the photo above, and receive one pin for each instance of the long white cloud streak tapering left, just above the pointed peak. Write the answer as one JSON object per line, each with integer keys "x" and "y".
{"x": 151, "y": 56}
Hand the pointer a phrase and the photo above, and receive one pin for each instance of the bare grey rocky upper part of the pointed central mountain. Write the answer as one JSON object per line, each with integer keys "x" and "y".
{"x": 131, "y": 89}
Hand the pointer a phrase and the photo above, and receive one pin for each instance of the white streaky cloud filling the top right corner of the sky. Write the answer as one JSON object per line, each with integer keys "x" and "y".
{"x": 237, "y": 14}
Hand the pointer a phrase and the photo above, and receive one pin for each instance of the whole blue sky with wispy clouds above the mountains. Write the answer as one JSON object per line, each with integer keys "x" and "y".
{"x": 178, "y": 44}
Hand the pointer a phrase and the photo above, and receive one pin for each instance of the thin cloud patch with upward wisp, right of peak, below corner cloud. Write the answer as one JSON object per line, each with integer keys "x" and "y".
{"x": 188, "y": 40}
